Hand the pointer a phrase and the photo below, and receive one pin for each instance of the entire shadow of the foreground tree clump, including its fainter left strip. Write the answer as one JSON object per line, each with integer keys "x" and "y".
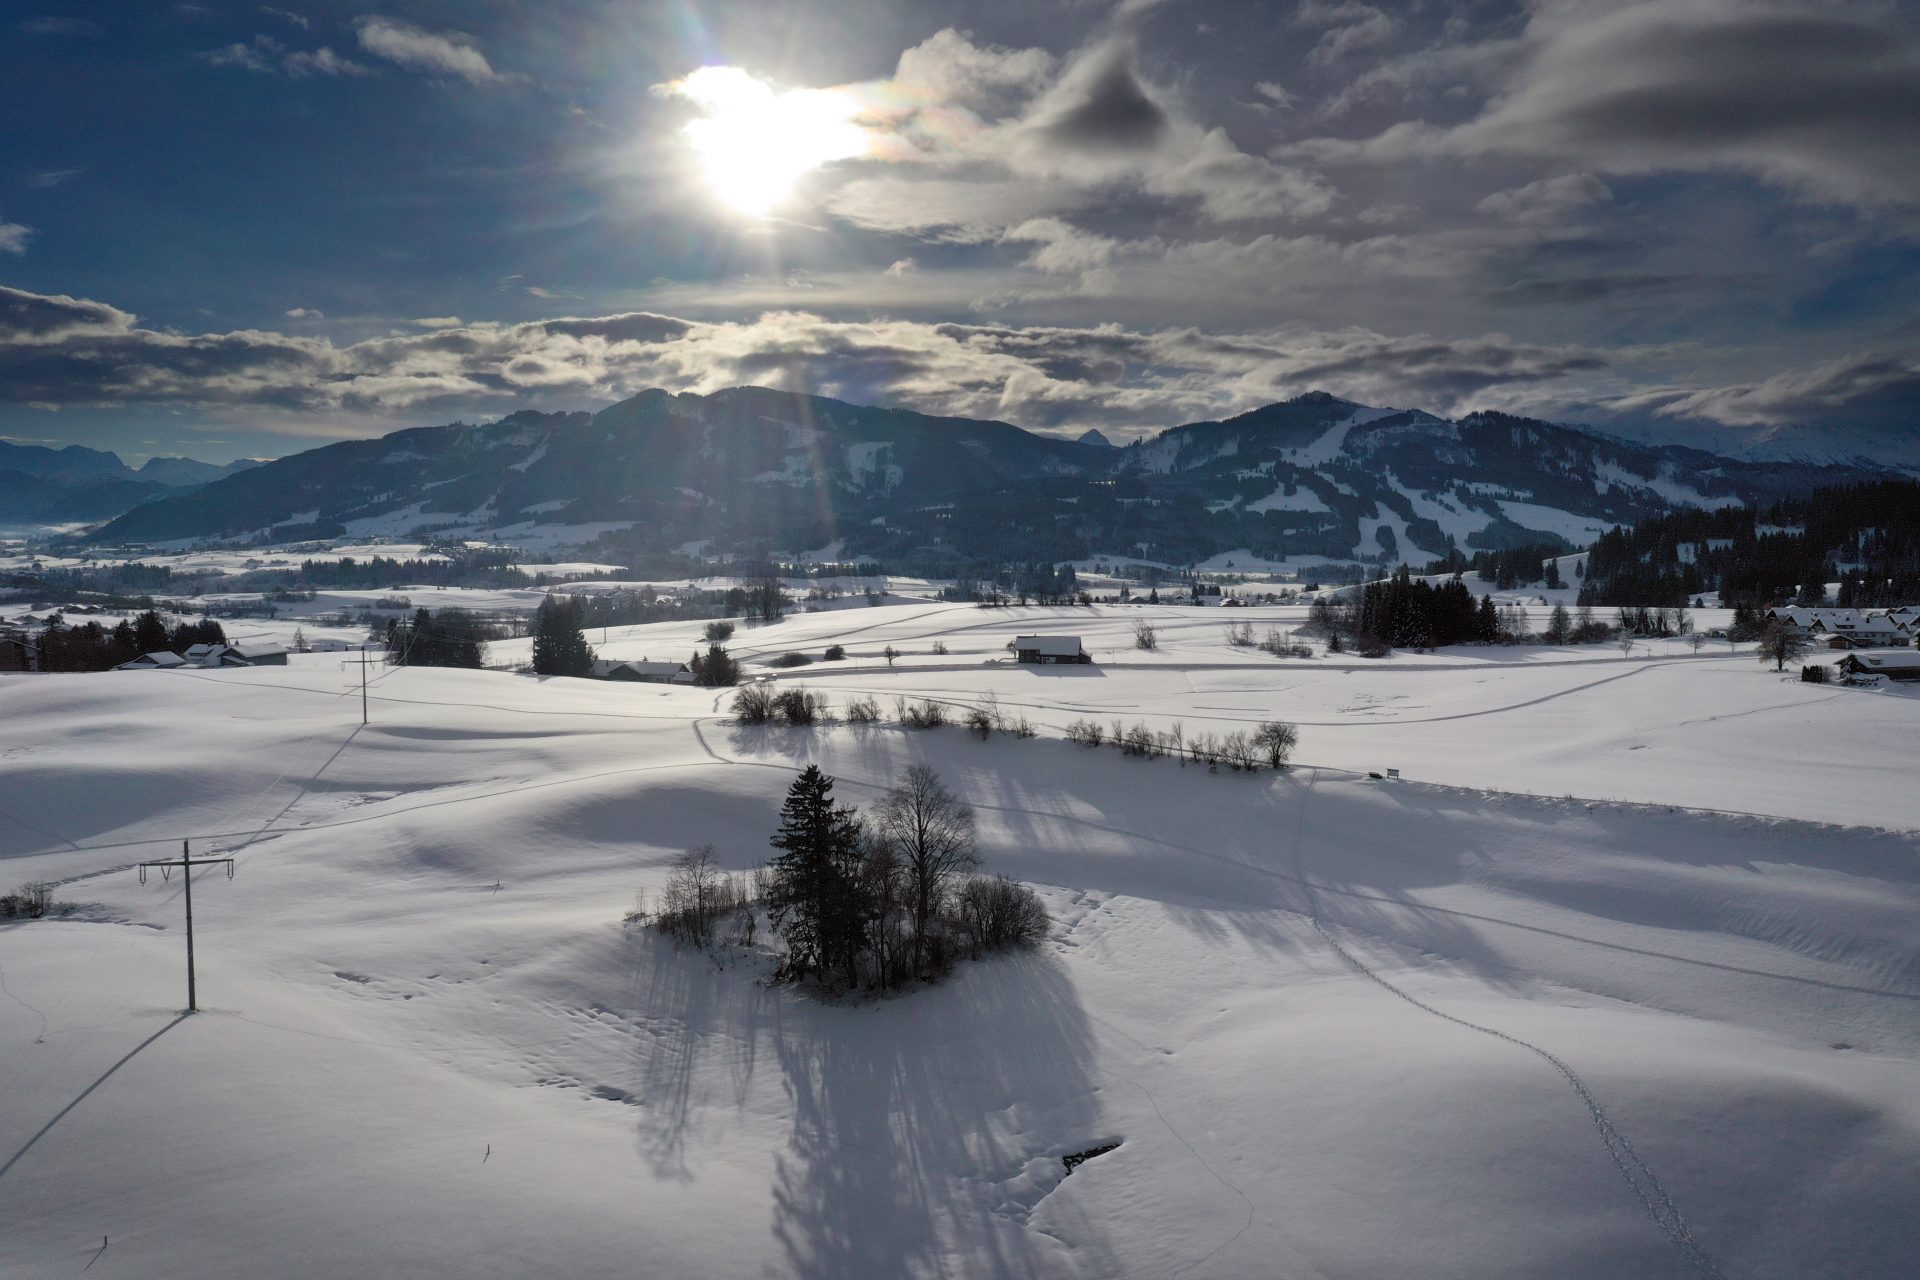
{"x": 926, "y": 1127}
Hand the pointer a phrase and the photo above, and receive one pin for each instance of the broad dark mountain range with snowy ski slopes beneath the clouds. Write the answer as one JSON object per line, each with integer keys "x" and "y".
{"x": 761, "y": 471}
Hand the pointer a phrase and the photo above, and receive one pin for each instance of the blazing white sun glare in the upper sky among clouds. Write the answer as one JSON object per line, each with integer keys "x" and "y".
{"x": 757, "y": 143}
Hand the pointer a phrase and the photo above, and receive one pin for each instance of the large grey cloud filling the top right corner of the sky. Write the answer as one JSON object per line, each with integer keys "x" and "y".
{"x": 1823, "y": 99}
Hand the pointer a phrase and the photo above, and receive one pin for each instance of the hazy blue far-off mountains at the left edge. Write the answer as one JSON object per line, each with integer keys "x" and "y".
{"x": 80, "y": 485}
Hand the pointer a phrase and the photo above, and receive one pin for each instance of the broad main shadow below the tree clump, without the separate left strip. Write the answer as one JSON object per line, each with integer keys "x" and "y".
{"x": 915, "y": 1126}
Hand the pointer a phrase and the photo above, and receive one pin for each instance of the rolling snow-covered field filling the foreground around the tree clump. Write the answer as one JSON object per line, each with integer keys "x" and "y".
{"x": 1339, "y": 1028}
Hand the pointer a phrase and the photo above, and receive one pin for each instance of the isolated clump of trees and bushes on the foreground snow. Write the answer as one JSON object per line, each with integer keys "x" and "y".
{"x": 875, "y": 899}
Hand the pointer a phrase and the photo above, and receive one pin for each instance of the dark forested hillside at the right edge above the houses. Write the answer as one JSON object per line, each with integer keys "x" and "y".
{"x": 1867, "y": 538}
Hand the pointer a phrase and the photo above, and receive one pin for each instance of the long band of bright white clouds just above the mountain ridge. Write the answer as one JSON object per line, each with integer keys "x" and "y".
{"x": 70, "y": 352}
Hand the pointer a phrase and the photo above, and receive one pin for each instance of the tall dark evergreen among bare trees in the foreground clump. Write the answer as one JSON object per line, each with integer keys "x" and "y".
{"x": 813, "y": 893}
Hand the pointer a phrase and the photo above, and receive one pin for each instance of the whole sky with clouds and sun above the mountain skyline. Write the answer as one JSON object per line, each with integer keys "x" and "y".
{"x": 235, "y": 229}
